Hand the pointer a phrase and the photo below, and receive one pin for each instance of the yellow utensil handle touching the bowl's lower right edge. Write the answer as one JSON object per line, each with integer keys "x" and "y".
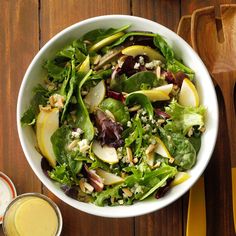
{"x": 196, "y": 222}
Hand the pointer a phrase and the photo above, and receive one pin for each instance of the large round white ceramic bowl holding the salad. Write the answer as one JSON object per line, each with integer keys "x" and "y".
{"x": 35, "y": 74}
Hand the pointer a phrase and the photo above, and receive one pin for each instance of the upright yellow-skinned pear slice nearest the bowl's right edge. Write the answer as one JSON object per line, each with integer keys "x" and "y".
{"x": 188, "y": 95}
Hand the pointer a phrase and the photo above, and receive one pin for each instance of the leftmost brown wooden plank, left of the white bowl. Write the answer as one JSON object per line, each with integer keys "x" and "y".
{"x": 18, "y": 44}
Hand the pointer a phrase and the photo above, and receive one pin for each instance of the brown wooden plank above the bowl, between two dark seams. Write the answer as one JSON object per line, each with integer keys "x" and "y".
{"x": 56, "y": 15}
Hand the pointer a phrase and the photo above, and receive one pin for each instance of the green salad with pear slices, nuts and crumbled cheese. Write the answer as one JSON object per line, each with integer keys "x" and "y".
{"x": 117, "y": 118}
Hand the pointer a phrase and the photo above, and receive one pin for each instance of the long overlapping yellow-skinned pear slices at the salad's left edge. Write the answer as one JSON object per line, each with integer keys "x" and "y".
{"x": 46, "y": 124}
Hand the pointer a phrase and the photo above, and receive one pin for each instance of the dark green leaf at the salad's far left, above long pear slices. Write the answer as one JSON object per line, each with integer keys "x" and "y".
{"x": 40, "y": 97}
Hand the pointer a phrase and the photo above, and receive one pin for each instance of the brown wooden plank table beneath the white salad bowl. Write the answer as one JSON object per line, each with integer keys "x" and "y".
{"x": 25, "y": 26}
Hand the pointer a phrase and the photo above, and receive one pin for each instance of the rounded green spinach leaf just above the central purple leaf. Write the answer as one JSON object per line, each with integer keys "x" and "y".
{"x": 117, "y": 108}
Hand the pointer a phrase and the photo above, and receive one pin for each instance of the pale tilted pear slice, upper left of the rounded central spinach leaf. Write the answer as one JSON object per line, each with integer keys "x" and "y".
{"x": 95, "y": 95}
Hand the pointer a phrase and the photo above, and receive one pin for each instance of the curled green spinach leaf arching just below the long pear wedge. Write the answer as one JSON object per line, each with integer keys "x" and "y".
{"x": 141, "y": 99}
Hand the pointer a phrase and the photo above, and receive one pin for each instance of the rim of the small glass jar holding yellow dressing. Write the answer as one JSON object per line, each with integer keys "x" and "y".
{"x": 13, "y": 206}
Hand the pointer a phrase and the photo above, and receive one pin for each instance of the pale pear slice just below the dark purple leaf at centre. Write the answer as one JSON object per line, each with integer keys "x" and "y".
{"x": 105, "y": 153}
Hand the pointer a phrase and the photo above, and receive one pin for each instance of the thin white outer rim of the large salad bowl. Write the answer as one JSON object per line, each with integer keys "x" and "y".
{"x": 99, "y": 211}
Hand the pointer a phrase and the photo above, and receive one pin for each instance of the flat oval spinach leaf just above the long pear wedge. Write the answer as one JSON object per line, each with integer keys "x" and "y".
{"x": 137, "y": 81}
